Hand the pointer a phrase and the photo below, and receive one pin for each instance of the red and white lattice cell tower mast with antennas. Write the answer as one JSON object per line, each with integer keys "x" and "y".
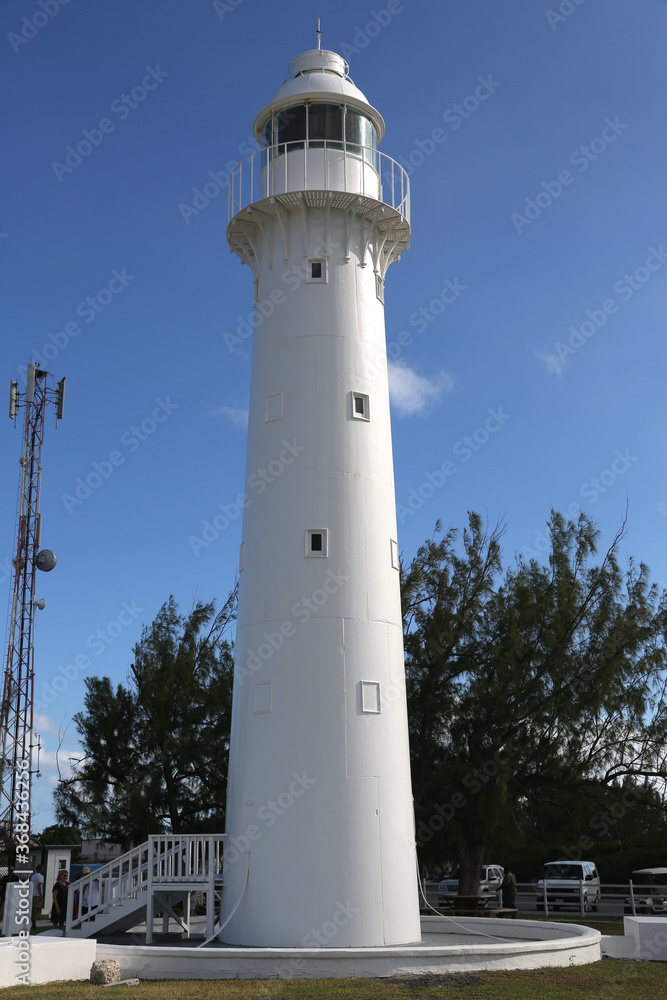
{"x": 16, "y": 765}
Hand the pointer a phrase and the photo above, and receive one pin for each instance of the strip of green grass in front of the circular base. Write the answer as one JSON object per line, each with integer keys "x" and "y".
{"x": 607, "y": 980}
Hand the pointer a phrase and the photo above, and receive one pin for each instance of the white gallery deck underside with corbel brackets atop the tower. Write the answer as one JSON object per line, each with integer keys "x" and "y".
{"x": 385, "y": 231}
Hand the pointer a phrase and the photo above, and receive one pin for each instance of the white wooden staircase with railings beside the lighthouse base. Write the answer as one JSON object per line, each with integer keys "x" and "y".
{"x": 149, "y": 880}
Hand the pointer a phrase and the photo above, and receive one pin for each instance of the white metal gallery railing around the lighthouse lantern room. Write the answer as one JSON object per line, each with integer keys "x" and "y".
{"x": 319, "y": 164}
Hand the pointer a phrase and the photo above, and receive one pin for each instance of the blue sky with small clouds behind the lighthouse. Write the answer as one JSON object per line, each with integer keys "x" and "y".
{"x": 526, "y": 323}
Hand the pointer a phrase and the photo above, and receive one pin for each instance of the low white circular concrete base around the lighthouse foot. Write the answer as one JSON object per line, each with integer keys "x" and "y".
{"x": 447, "y": 945}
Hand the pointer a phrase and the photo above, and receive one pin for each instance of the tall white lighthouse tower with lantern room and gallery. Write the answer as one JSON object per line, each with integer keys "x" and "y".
{"x": 321, "y": 845}
